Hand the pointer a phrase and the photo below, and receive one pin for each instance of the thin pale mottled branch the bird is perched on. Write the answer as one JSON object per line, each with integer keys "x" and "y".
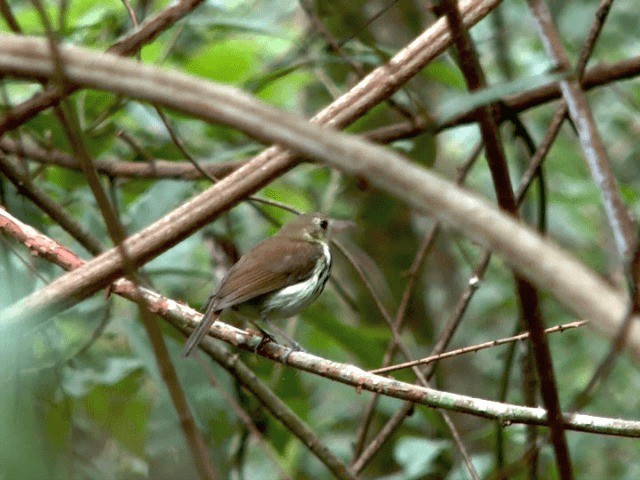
{"x": 185, "y": 318}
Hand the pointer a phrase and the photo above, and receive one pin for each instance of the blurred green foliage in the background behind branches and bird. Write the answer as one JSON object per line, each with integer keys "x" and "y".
{"x": 73, "y": 407}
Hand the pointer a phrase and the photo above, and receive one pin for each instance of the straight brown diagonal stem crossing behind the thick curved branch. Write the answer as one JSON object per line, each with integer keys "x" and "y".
{"x": 377, "y": 86}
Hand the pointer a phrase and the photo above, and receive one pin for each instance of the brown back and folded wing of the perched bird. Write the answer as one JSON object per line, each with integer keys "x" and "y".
{"x": 252, "y": 276}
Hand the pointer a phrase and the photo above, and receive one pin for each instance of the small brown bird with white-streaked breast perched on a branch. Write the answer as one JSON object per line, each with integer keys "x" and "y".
{"x": 277, "y": 278}
